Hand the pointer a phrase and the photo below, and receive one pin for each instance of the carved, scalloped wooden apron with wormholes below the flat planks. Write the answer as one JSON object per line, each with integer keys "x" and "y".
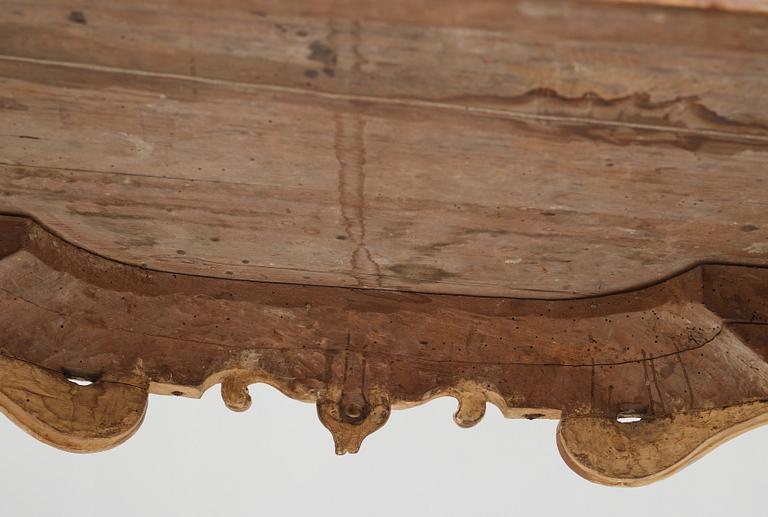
{"x": 686, "y": 358}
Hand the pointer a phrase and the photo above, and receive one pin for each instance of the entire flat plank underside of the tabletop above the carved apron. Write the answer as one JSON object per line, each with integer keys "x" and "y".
{"x": 538, "y": 149}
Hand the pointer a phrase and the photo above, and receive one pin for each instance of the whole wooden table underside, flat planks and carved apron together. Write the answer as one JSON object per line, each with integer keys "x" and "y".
{"x": 558, "y": 207}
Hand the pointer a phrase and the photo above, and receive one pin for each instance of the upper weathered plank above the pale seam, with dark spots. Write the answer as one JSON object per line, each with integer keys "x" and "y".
{"x": 480, "y": 53}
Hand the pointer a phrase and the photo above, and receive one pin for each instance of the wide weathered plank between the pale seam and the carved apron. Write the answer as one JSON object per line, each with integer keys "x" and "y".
{"x": 303, "y": 189}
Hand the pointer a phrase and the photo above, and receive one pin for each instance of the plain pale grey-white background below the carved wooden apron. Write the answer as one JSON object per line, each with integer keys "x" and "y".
{"x": 197, "y": 458}
